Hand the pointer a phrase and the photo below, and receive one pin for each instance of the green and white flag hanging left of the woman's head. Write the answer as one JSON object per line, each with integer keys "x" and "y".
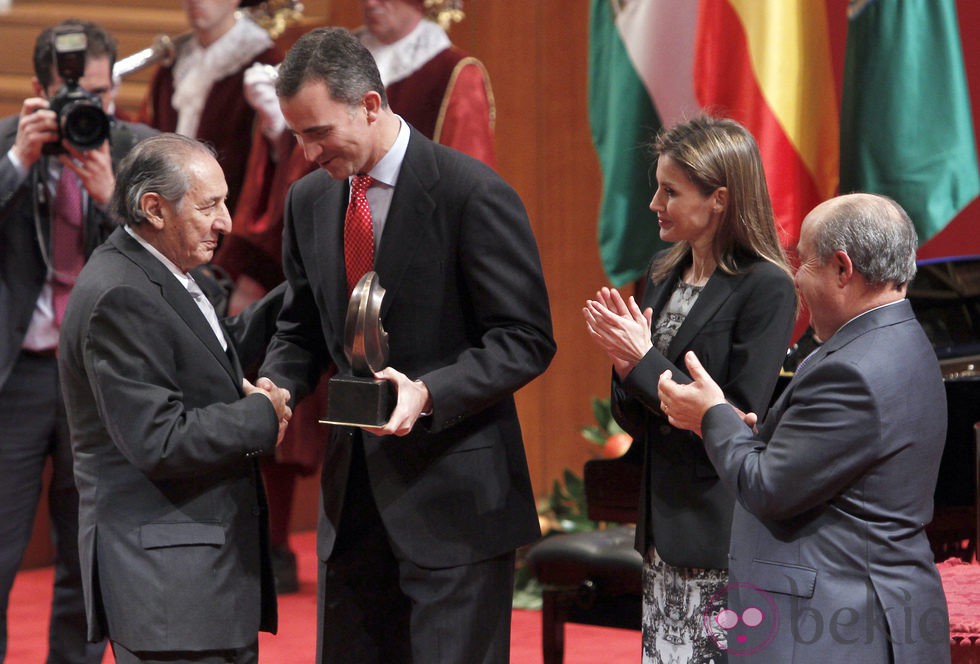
{"x": 637, "y": 47}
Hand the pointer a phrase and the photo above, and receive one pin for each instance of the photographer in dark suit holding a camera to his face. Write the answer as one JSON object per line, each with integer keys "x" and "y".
{"x": 53, "y": 194}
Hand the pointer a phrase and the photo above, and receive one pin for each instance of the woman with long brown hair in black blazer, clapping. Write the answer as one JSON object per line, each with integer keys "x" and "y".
{"x": 725, "y": 291}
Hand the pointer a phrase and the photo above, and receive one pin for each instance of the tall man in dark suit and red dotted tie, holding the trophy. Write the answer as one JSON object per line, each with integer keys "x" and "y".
{"x": 421, "y": 517}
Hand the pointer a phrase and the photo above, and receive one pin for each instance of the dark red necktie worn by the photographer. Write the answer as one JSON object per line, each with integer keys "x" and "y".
{"x": 67, "y": 251}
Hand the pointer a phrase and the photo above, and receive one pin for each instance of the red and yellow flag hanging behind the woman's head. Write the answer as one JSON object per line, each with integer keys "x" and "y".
{"x": 767, "y": 64}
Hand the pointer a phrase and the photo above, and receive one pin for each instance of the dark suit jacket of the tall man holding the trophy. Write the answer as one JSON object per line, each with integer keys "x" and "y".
{"x": 467, "y": 312}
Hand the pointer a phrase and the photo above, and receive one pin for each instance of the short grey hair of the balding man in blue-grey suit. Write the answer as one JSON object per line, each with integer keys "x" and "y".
{"x": 877, "y": 235}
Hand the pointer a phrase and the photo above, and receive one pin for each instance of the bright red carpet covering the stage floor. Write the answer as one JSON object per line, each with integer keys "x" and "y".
{"x": 30, "y": 604}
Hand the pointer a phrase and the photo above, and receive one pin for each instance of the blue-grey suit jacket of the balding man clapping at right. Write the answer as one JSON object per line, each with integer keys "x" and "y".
{"x": 833, "y": 495}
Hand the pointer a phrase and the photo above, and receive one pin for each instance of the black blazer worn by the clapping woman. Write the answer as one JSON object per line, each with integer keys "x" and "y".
{"x": 739, "y": 327}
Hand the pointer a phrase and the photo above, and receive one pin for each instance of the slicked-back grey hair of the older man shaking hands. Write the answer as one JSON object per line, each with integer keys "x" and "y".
{"x": 155, "y": 165}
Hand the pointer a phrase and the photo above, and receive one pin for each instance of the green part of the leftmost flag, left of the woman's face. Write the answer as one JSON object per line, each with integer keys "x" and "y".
{"x": 623, "y": 122}
